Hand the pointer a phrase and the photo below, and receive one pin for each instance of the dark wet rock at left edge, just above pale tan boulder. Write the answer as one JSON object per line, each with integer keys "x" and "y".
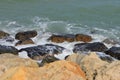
{"x": 8, "y": 49}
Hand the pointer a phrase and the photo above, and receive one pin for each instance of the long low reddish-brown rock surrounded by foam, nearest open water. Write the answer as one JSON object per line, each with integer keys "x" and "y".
{"x": 70, "y": 38}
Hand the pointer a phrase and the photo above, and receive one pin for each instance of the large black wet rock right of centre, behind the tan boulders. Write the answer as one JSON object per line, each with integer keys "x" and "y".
{"x": 85, "y": 47}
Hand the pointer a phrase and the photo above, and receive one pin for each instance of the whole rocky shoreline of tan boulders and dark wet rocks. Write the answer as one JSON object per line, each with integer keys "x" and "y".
{"x": 89, "y": 60}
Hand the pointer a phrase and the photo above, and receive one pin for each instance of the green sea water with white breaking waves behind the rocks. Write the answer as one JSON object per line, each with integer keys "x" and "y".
{"x": 67, "y": 16}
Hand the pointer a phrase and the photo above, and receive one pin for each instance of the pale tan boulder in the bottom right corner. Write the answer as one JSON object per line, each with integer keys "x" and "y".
{"x": 109, "y": 72}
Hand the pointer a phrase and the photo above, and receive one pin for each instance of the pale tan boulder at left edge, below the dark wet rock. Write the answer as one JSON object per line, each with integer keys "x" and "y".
{"x": 9, "y": 60}
